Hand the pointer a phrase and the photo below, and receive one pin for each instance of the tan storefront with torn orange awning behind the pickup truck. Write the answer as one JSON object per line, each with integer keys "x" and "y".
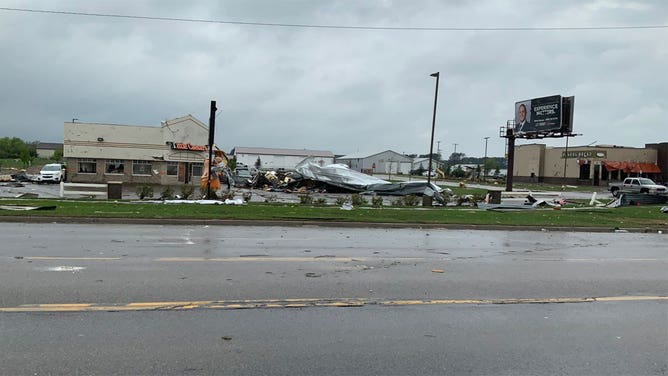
{"x": 587, "y": 165}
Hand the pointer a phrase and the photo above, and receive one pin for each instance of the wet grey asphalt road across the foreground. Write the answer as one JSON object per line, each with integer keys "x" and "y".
{"x": 115, "y": 265}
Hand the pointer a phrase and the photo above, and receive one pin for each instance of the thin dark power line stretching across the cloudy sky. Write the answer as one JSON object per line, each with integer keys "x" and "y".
{"x": 313, "y": 26}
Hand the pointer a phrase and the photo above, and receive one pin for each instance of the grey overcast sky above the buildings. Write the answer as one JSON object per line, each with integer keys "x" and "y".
{"x": 342, "y": 90}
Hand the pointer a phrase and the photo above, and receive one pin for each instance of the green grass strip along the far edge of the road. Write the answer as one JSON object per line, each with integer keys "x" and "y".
{"x": 625, "y": 217}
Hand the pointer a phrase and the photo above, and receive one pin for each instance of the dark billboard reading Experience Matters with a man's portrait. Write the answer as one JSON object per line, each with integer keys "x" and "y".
{"x": 540, "y": 116}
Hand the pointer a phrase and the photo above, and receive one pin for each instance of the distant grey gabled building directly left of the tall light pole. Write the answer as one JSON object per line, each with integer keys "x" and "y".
{"x": 386, "y": 162}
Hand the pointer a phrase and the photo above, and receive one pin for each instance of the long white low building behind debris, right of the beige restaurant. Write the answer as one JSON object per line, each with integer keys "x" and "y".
{"x": 274, "y": 159}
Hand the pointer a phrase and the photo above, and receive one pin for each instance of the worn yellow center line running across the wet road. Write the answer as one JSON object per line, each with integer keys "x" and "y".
{"x": 306, "y": 303}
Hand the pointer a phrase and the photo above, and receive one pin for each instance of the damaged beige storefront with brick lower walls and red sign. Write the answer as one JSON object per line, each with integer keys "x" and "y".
{"x": 170, "y": 154}
